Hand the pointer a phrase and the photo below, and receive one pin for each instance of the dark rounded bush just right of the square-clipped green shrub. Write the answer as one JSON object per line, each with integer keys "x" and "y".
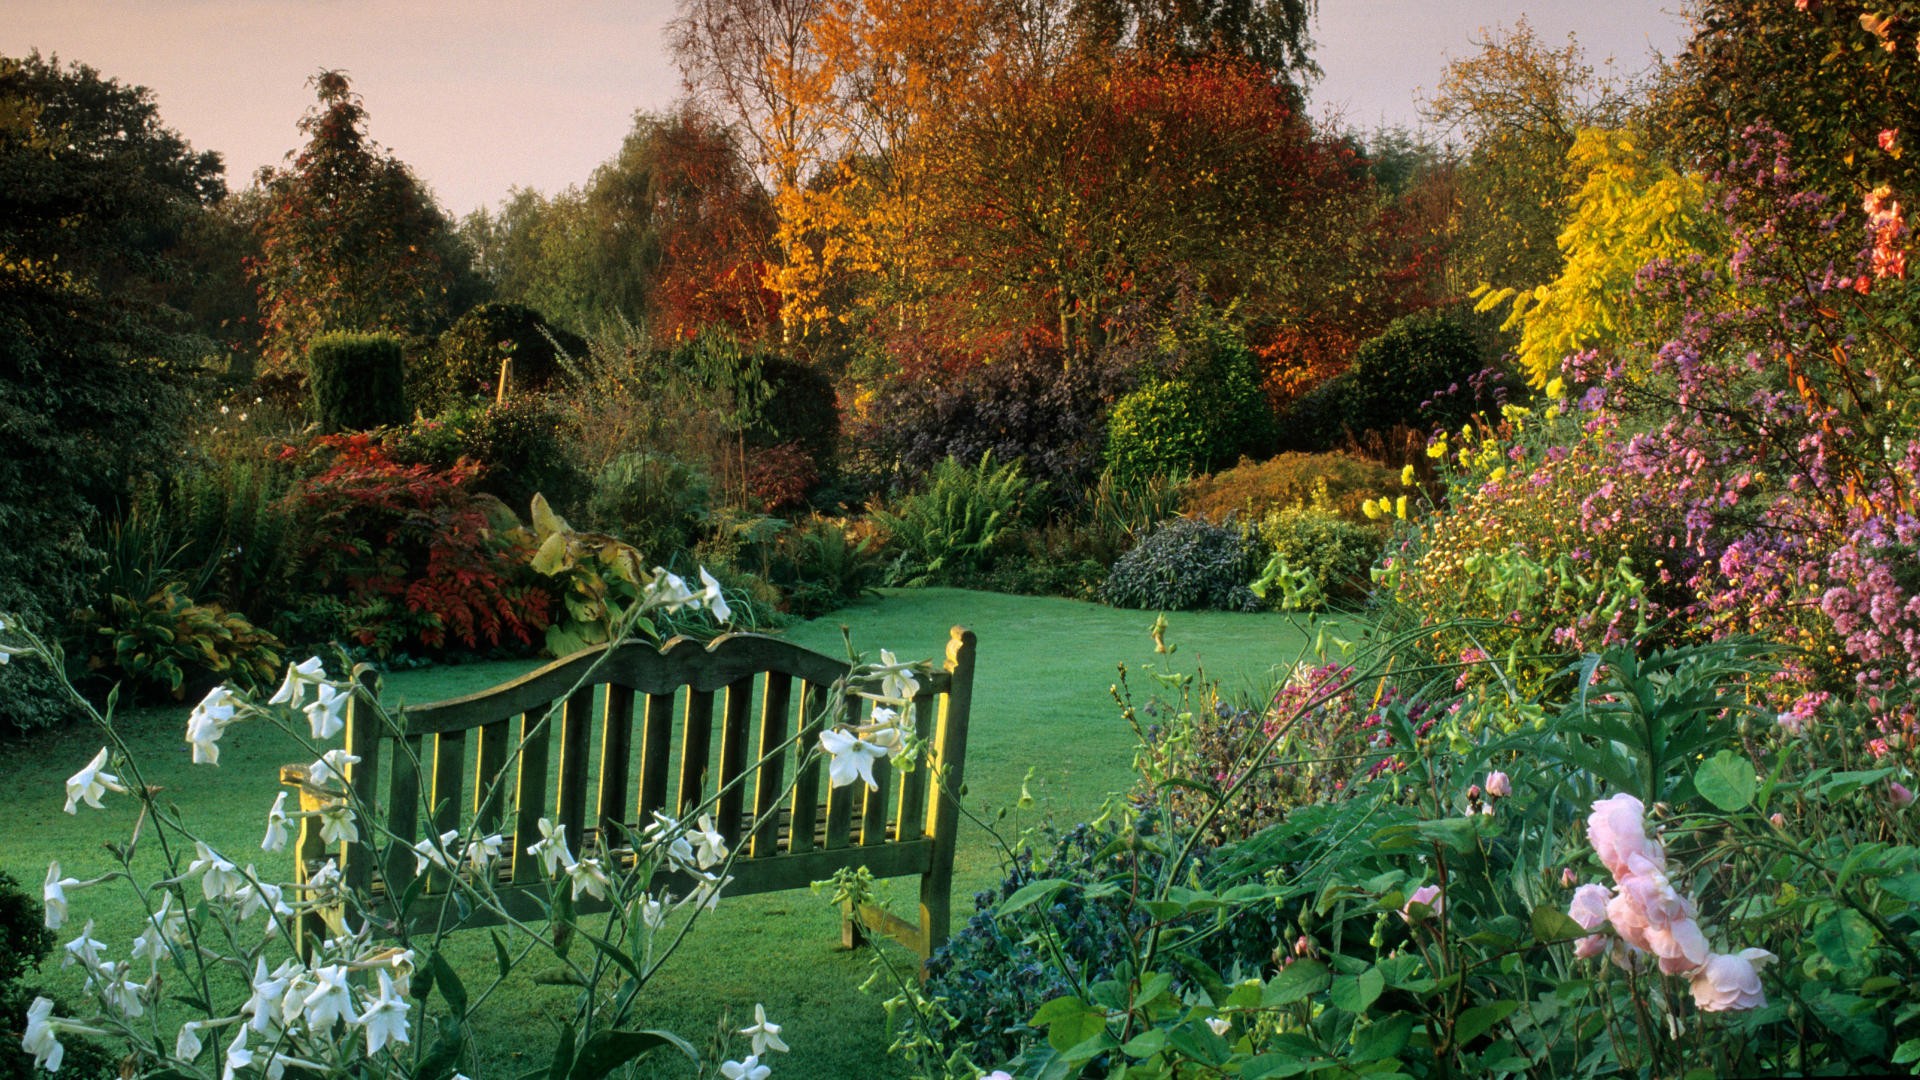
{"x": 464, "y": 362}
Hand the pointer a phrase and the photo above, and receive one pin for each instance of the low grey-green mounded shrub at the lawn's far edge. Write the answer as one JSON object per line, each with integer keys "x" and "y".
{"x": 1188, "y": 564}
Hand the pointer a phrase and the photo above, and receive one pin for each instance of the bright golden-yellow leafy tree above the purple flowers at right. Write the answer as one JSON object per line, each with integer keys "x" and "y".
{"x": 1631, "y": 210}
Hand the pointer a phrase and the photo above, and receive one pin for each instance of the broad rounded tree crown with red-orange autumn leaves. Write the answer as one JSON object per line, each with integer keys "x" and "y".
{"x": 1070, "y": 199}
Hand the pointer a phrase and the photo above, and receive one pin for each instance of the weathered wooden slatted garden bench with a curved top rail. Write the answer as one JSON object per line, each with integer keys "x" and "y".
{"x": 652, "y": 729}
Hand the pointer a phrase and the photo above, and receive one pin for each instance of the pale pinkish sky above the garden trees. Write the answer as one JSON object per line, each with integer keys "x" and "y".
{"x": 489, "y": 95}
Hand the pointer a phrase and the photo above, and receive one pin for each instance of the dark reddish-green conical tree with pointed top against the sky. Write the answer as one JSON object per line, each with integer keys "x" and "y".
{"x": 350, "y": 239}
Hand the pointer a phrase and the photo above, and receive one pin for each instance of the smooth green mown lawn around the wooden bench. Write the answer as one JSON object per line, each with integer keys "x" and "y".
{"x": 1042, "y": 702}
